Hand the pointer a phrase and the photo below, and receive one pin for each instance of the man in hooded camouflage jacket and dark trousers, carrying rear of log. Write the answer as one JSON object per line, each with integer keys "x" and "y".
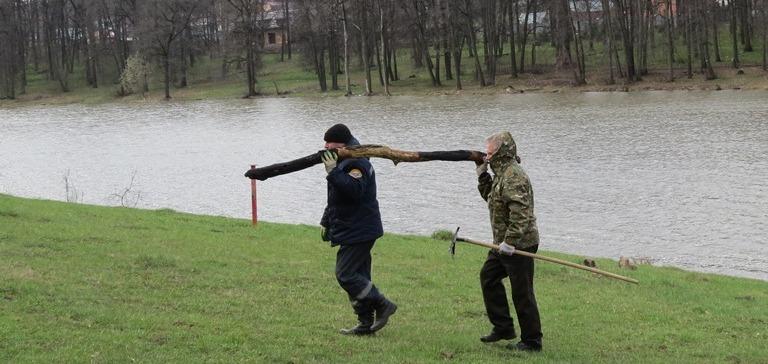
{"x": 510, "y": 202}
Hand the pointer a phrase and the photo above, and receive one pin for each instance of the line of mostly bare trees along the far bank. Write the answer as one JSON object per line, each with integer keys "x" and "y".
{"x": 115, "y": 41}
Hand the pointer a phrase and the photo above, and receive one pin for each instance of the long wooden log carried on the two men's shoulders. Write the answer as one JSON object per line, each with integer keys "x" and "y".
{"x": 364, "y": 151}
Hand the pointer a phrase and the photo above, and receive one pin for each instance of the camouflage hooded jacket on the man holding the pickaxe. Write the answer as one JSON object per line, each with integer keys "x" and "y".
{"x": 510, "y": 198}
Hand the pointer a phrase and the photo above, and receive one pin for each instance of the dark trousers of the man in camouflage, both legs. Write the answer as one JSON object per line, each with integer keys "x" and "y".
{"x": 519, "y": 269}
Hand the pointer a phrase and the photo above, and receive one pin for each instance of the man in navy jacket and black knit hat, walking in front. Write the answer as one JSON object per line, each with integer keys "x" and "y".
{"x": 352, "y": 221}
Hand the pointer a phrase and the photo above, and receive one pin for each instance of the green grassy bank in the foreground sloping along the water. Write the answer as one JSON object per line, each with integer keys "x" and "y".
{"x": 96, "y": 284}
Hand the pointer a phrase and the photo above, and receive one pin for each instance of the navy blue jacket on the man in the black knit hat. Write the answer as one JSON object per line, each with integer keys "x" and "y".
{"x": 352, "y": 215}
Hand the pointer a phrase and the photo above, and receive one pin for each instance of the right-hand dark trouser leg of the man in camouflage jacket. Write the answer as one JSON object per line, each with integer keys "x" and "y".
{"x": 520, "y": 270}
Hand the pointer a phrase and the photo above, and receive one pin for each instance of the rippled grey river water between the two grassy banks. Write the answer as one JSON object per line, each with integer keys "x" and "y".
{"x": 679, "y": 178}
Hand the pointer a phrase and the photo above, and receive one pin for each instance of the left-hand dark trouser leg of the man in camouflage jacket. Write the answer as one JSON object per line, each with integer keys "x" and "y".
{"x": 494, "y": 294}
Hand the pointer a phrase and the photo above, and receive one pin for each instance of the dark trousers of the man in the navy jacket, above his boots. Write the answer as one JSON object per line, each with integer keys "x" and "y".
{"x": 353, "y": 271}
